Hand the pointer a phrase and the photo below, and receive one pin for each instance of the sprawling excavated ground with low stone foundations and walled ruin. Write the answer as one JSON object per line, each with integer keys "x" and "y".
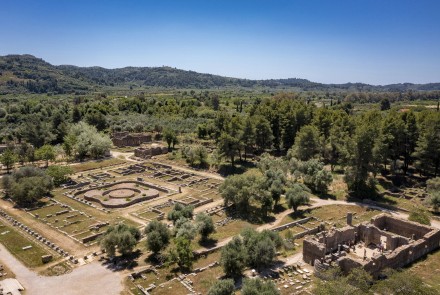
{"x": 62, "y": 233}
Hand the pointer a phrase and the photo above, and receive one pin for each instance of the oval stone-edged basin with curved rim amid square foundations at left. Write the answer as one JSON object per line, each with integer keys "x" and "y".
{"x": 120, "y": 195}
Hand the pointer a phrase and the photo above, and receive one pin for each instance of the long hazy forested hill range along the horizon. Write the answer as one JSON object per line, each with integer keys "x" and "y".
{"x": 28, "y": 74}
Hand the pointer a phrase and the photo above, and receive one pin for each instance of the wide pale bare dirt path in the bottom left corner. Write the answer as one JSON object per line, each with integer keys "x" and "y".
{"x": 92, "y": 278}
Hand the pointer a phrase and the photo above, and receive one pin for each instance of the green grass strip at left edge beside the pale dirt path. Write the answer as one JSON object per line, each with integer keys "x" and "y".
{"x": 14, "y": 241}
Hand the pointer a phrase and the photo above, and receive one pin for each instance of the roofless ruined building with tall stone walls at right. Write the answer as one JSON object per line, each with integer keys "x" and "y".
{"x": 384, "y": 242}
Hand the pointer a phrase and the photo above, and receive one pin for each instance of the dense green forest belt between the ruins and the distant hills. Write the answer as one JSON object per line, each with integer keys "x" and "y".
{"x": 361, "y": 139}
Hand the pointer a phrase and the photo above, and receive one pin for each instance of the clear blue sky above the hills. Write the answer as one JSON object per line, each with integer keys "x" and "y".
{"x": 330, "y": 41}
